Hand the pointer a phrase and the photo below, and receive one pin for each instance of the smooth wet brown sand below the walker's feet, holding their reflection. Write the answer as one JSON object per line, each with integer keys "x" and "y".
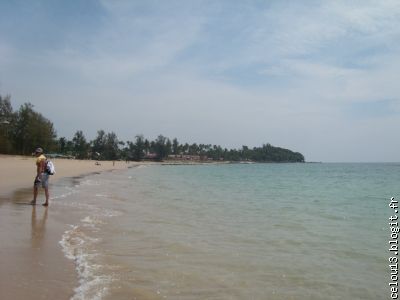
{"x": 32, "y": 263}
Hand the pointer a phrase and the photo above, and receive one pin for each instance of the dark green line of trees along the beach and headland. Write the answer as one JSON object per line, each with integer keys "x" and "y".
{"x": 23, "y": 130}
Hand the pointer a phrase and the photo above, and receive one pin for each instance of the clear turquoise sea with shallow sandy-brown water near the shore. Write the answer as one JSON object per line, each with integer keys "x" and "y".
{"x": 231, "y": 231}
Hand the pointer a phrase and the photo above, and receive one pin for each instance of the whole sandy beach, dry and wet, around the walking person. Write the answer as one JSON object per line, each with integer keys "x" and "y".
{"x": 33, "y": 265}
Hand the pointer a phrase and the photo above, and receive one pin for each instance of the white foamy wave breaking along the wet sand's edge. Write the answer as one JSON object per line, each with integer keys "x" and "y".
{"x": 80, "y": 244}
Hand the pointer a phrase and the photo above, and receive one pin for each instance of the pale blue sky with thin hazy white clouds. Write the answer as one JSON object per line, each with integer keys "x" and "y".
{"x": 316, "y": 77}
